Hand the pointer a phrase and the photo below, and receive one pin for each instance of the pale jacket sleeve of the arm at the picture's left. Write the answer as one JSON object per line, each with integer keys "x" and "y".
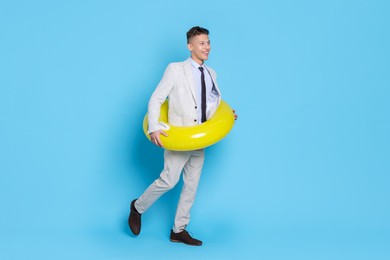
{"x": 158, "y": 97}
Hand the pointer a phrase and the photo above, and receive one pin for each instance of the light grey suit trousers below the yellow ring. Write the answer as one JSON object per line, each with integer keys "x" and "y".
{"x": 176, "y": 162}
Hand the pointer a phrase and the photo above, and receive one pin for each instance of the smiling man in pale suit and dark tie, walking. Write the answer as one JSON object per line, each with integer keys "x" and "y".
{"x": 193, "y": 97}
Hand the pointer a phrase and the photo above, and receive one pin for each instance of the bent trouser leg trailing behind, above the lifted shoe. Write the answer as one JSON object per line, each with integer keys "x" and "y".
{"x": 173, "y": 165}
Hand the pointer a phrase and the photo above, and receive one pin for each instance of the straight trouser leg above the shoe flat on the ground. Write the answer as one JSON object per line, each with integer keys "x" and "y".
{"x": 191, "y": 176}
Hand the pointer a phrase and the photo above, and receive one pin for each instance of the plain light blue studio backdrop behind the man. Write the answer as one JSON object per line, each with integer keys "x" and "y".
{"x": 303, "y": 175}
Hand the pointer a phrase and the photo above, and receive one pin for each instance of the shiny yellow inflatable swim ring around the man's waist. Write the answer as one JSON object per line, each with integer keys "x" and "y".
{"x": 181, "y": 138}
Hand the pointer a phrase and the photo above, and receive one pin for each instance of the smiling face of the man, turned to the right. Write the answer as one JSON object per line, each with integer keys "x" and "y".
{"x": 199, "y": 47}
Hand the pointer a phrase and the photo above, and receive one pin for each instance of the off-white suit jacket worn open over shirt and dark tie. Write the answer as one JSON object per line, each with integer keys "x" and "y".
{"x": 178, "y": 85}
